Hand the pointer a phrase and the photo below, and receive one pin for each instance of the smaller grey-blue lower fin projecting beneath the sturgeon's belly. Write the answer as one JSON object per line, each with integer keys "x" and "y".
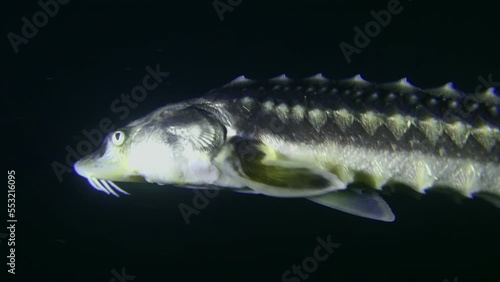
{"x": 357, "y": 202}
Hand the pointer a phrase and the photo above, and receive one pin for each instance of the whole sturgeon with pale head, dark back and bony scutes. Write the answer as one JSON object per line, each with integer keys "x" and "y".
{"x": 335, "y": 142}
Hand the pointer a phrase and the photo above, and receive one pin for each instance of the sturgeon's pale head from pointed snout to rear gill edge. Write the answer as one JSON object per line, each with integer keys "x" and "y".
{"x": 169, "y": 146}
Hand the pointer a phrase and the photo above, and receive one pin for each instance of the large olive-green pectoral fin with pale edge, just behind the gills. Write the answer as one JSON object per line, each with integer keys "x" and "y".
{"x": 266, "y": 172}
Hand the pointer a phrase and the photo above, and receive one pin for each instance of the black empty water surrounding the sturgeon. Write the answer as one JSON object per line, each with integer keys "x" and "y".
{"x": 66, "y": 77}
